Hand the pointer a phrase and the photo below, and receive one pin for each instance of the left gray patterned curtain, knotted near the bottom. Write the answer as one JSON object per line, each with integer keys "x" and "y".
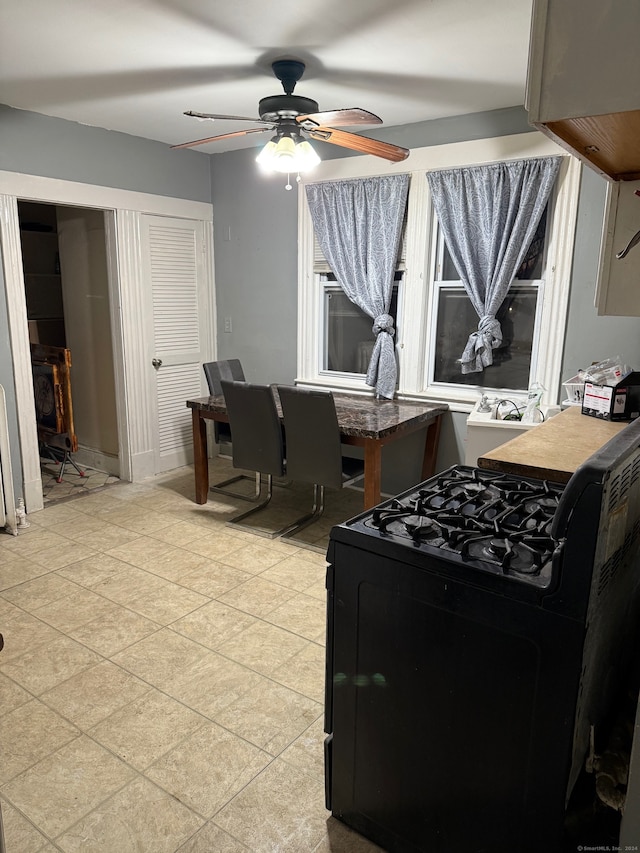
{"x": 358, "y": 225}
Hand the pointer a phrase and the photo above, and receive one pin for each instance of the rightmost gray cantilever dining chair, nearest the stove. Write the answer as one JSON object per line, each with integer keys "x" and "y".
{"x": 314, "y": 448}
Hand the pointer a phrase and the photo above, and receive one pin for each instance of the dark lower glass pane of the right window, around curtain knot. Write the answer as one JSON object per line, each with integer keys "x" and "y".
{"x": 511, "y": 362}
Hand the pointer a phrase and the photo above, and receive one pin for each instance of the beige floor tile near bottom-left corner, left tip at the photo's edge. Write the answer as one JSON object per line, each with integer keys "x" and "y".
{"x": 63, "y": 787}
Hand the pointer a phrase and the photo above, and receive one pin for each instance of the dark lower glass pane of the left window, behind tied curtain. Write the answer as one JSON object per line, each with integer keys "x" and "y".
{"x": 349, "y": 339}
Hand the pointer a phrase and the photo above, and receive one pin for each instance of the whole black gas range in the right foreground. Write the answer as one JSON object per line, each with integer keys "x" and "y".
{"x": 477, "y": 632}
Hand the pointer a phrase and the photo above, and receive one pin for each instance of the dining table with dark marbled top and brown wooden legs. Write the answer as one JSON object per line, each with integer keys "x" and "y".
{"x": 364, "y": 422}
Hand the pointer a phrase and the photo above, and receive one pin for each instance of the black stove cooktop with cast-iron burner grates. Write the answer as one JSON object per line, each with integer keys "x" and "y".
{"x": 494, "y": 521}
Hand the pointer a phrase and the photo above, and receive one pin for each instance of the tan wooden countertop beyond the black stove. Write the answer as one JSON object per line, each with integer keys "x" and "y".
{"x": 553, "y": 450}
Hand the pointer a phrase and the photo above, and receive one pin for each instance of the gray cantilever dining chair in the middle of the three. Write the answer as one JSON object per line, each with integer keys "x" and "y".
{"x": 257, "y": 444}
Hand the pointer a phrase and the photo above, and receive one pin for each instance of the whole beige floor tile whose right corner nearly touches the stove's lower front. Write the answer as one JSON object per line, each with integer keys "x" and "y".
{"x": 269, "y": 715}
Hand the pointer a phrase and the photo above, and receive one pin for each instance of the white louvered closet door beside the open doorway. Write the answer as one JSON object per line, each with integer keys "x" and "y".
{"x": 179, "y": 308}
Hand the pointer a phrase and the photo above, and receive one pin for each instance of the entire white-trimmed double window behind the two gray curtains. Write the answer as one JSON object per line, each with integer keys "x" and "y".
{"x": 432, "y": 311}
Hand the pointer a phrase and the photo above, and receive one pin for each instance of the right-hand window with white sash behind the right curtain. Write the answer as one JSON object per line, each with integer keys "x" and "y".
{"x": 514, "y": 363}
